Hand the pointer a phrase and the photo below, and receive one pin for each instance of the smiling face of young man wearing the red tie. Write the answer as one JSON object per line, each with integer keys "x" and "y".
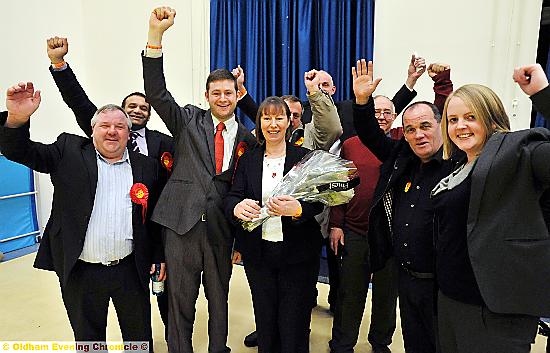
{"x": 222, "y": 98}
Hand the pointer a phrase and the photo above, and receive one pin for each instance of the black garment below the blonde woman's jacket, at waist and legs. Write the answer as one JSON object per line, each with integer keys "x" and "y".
{"x": 465, "y": 328}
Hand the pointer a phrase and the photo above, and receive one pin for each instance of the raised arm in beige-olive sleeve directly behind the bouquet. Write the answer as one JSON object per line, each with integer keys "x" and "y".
{"x": 325, "y": 126}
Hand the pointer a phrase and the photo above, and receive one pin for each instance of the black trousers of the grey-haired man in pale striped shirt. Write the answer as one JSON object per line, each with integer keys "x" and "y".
{"x": 86, "y": 298}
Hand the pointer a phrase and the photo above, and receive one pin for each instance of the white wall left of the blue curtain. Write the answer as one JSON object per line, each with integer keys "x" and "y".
{"x": 105, "y": 40}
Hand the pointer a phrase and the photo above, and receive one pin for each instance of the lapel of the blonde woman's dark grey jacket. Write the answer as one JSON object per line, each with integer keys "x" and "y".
{"x": 479, "y": 177}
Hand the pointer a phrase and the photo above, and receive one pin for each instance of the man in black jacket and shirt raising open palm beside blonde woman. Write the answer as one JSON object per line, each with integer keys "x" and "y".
{"x": 401, "y": 216}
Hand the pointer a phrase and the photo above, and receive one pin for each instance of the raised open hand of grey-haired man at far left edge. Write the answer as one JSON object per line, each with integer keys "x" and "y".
{"x": 21, "y": 102}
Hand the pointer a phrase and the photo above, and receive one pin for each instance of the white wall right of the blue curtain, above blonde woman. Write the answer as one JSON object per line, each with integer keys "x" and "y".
{"x": 482, "y": 41}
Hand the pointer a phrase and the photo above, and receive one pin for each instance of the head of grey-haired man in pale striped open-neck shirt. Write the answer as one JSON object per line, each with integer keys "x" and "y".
{"x": 110, "y": 134}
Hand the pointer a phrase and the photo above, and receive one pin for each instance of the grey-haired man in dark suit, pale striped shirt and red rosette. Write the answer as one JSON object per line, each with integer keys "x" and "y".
{"x": 99, "y": 239}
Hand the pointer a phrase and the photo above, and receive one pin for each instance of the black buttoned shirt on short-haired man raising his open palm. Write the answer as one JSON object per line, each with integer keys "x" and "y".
{"x": 413, "y": 242}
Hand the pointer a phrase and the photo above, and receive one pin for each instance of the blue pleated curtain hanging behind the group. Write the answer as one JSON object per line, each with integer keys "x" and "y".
{"x": 276, "y": 41}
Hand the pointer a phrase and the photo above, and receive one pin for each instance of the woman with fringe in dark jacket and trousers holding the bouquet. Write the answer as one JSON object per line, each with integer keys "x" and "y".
{"x": 281, "y": 256}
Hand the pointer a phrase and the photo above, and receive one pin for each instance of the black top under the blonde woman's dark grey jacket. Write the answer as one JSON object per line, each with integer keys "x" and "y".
{"x": 454, "y": 272}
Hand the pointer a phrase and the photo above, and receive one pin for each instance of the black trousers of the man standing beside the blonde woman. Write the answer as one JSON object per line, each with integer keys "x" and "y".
{"x": 417, "y": 309}
